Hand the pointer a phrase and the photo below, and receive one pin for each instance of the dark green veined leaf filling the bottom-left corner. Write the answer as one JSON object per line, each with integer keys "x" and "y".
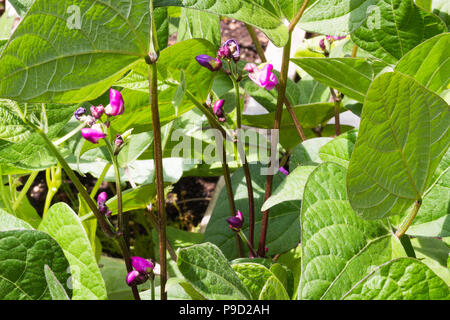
{"x": 23, "y": 255}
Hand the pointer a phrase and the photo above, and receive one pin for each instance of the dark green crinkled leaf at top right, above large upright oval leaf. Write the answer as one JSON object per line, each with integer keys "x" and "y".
{"x": 396, "y": 28}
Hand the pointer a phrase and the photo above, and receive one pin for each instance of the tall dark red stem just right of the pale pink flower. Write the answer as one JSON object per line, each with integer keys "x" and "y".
{"x": 276, "y": 126}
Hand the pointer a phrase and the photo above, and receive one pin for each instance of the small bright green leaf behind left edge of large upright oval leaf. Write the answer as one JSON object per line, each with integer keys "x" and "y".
{"x": 340, "y": 149}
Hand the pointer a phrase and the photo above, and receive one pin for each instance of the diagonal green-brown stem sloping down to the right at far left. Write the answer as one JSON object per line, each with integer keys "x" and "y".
{"x": 84, "y": 194}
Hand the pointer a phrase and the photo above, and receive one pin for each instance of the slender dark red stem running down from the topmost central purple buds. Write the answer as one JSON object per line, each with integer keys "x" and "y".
{"x": 248, "y": 179}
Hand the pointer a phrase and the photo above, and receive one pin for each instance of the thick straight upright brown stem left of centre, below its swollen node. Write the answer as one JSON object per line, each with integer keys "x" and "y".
{"x": 157, "y": 151}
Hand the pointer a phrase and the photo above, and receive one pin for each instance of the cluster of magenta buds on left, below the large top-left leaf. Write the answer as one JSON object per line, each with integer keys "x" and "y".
{"x": 95, "y": 131}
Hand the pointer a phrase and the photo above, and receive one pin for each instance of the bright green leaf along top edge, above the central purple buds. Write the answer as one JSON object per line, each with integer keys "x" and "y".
{"x": 246, "y": 11}
